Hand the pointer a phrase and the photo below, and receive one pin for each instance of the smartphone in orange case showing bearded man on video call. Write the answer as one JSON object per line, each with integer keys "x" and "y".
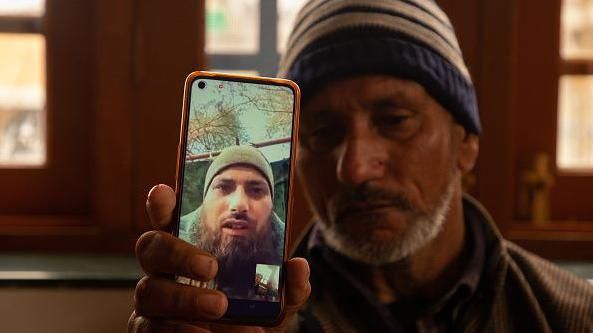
{"x": 235, "y": 172}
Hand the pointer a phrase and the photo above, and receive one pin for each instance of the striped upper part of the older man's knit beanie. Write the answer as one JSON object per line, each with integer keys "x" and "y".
{"x": 422, "y": 19}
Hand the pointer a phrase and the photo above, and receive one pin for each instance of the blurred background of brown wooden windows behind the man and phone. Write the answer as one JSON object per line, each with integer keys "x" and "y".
{"x": 90, "y": 105}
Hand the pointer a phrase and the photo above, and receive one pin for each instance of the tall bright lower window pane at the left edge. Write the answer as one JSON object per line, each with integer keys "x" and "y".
{"x": 22, "y": 99}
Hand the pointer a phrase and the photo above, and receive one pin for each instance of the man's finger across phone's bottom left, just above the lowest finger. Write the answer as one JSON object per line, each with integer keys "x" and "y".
{"x": 162, "y": 298}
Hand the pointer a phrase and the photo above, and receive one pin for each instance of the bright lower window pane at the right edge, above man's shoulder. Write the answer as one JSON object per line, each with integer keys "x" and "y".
{"x": 575, "y": 122}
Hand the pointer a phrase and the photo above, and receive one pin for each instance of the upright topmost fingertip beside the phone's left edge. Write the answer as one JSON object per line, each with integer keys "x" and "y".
{"x": 160, "y": 205}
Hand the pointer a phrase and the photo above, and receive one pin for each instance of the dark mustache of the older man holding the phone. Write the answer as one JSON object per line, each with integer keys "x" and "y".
{"x": 365, "y": 197}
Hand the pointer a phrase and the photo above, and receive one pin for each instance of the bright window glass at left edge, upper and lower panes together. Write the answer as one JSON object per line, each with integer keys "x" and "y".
{"x": 22, "y": 83}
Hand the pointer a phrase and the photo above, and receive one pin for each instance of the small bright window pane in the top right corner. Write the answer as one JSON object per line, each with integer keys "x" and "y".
{"x": 577, "y": 29}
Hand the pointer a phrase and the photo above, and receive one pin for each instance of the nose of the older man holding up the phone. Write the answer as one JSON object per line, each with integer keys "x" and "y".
{"x": 362, "y": 157}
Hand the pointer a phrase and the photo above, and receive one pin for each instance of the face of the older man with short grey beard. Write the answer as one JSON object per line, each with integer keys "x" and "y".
{"x": 379, "y": 161}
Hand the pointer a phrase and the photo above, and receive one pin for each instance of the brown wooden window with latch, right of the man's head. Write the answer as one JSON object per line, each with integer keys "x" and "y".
{"x": 534, "y": 172}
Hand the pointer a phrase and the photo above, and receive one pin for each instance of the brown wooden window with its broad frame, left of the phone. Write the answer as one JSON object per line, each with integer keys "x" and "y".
{"x": 107, "y": 89}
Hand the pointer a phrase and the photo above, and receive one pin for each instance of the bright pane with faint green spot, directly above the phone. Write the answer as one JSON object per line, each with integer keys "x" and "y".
{"x": 232, "y": 26}
